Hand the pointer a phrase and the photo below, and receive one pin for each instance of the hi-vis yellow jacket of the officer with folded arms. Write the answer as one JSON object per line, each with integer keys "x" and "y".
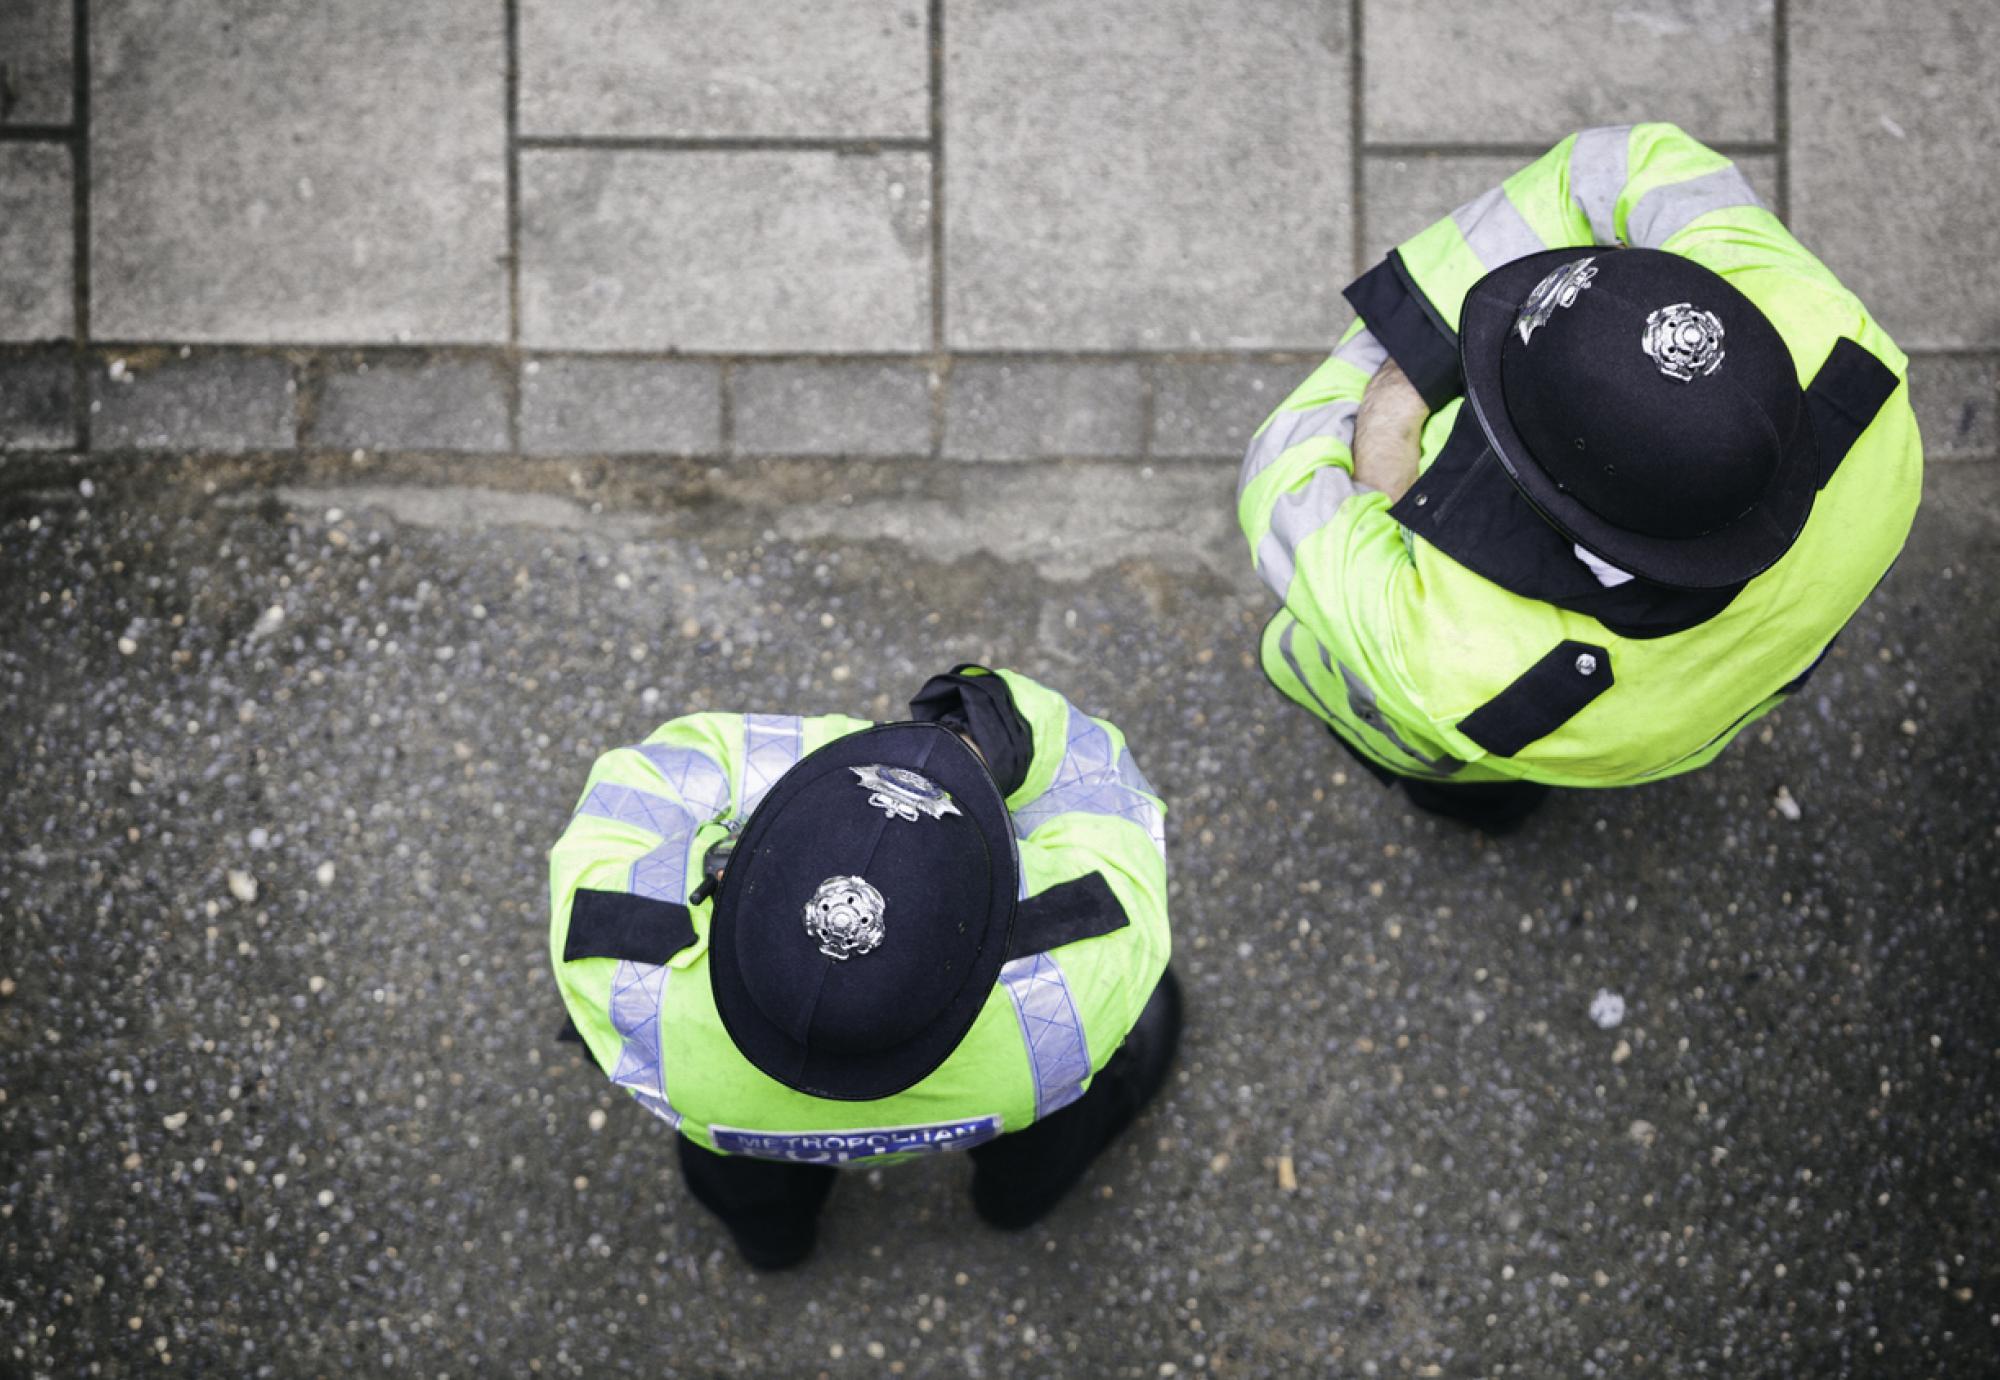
{"x": 1463, "y": 649}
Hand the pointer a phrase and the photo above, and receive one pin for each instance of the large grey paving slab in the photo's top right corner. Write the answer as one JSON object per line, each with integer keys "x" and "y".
{"x": 1893, "y": 179}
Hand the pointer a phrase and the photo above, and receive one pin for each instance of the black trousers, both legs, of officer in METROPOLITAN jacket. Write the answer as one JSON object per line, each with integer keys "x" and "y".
{"x": 773, "y": 1207}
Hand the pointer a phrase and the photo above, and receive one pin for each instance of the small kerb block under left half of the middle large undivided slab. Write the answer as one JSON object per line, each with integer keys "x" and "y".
{"x": 1043, "y": 409}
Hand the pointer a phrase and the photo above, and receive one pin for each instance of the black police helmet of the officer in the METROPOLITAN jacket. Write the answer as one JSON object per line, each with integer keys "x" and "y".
{"x": 865, "y": 913}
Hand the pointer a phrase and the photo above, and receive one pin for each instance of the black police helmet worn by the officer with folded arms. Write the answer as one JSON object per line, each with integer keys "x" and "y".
{"x": 1645, "y": 407}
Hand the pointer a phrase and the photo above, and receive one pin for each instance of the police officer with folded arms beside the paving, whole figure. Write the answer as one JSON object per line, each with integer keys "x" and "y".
{"x": 1593, "y": 483}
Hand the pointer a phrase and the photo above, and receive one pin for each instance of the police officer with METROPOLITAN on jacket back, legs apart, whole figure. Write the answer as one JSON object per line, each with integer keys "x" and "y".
{"x": 815, "y": 943}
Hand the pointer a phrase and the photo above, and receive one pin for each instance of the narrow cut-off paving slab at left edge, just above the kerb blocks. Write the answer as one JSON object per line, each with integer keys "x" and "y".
{"x": 37, "y": 243}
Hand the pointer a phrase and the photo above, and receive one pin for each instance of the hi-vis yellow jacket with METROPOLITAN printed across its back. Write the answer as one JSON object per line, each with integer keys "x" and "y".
{"x": 653, "y": 813}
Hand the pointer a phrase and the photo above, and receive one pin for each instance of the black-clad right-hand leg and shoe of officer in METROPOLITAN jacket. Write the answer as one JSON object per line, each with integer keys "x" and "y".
{"x": 1023, "y": 1175}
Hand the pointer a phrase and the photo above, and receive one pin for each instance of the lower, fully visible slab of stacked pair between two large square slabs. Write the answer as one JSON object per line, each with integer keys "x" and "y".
{"x": 725, "y": 251}
